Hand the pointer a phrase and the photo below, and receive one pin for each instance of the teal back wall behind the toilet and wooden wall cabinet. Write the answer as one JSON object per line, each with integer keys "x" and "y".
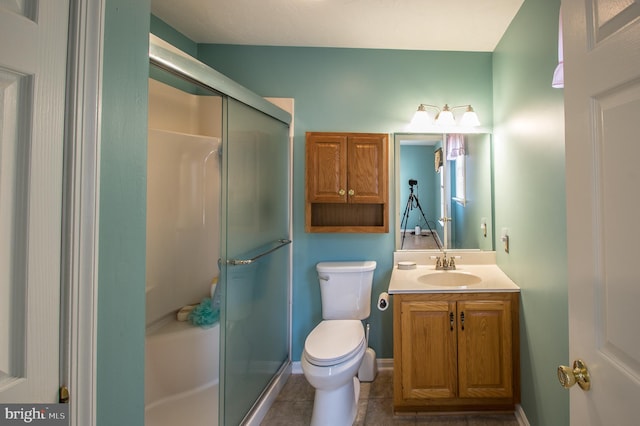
{"x": 354, "y": 90}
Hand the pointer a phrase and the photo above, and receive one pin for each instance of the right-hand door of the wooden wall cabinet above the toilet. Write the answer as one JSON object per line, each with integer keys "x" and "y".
{"x": 367, "y": 170}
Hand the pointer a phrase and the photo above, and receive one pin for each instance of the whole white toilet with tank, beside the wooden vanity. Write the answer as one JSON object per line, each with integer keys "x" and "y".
{"x": 334, "y": 349}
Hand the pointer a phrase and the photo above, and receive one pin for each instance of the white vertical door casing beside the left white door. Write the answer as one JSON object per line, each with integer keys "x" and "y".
{"x": 81, "y": 207}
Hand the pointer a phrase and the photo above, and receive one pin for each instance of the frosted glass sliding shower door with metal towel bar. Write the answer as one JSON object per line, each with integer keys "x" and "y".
{"x": 256, "y": 257}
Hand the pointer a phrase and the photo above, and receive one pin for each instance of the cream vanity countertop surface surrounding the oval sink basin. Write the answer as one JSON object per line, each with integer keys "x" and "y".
{"x": 493, "y": 280}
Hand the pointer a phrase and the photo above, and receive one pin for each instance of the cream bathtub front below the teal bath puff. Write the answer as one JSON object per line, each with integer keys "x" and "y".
{"x": 181, "y": 374}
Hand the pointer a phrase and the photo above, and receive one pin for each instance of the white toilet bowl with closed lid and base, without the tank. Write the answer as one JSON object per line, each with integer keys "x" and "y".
{"x": 330, "y": 361}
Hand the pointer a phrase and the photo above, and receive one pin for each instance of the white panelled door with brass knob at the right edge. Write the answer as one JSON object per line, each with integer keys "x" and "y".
{"x": 602, "y": 109}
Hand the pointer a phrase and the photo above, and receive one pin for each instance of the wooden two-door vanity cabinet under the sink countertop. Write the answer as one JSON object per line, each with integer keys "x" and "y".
{"x": 456, "y": 351}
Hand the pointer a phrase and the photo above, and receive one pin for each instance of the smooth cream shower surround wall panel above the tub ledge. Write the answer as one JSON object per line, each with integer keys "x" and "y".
{"x": 183, "y": 191}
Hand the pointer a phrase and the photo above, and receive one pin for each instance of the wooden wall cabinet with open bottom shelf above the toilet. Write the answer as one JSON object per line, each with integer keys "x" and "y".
{"x": 346, "y": 182}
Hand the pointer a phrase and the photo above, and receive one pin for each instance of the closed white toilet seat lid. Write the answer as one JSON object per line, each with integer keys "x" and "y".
{"x": 334, "y": 341}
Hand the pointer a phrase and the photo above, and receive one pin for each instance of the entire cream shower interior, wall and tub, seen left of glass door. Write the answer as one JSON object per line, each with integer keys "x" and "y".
{"x": 183, "y": 199}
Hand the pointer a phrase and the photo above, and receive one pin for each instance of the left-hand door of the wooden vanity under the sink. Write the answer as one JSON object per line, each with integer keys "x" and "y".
{"x": 428, "y": 349}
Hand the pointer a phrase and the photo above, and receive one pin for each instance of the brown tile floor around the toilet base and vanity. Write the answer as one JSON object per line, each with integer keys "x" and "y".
{"x": 375, "y": 407}
